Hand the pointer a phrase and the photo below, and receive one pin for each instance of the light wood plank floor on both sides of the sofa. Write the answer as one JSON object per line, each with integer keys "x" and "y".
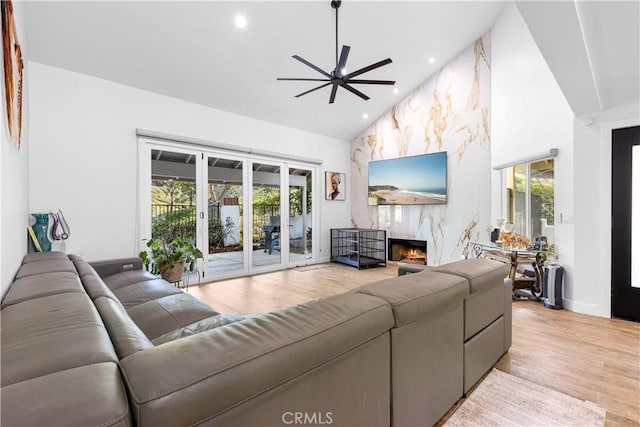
{"x": 587, "y": 357}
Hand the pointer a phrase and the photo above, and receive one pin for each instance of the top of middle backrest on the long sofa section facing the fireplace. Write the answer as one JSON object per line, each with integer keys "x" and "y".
{"x": 414, "y": 296}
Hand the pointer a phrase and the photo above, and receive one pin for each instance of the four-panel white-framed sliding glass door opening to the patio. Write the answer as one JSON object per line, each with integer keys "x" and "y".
{"x": 245, "y": 213}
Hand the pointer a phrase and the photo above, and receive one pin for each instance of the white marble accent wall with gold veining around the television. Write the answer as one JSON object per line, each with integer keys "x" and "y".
{"x": 448, "y": 112}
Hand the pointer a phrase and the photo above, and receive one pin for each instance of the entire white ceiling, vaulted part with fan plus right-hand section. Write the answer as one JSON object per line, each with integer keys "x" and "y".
{"x": 193, "y": 51}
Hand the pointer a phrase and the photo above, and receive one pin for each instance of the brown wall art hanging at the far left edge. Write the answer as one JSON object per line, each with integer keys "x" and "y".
{"x": 12, "y": 60}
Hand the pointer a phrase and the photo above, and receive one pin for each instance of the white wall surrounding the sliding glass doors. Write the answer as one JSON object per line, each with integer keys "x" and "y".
{"x": 83, "y": 153}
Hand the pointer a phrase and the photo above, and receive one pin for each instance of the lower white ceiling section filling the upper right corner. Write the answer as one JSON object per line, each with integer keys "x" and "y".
{"x": 591, "y": 47}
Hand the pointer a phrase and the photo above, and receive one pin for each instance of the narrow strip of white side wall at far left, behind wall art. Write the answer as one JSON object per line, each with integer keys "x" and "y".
{"x": 14, "y": 179}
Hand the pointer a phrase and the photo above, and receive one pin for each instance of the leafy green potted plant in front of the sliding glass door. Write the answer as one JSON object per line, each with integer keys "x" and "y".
{"x": 170, "y": 259}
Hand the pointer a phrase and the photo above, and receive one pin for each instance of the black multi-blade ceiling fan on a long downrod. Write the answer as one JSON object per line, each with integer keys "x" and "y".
{"x": 339, "y": 77}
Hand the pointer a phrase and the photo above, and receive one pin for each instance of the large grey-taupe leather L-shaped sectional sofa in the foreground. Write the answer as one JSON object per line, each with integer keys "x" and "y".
{"x": 109, "y": 344}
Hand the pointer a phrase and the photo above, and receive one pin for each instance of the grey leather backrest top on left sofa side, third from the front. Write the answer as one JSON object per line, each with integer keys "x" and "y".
{"x": 42, "y": 285}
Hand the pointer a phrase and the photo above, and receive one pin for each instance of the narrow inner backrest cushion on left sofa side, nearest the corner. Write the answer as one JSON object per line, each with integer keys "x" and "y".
{"x": 127, "y": 338}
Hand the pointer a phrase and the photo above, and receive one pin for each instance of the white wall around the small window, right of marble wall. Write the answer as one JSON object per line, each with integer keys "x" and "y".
{"x": 529, "y": 116}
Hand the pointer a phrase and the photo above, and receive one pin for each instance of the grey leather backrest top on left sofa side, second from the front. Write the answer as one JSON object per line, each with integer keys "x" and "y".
{"x": 50, "y": 334}
